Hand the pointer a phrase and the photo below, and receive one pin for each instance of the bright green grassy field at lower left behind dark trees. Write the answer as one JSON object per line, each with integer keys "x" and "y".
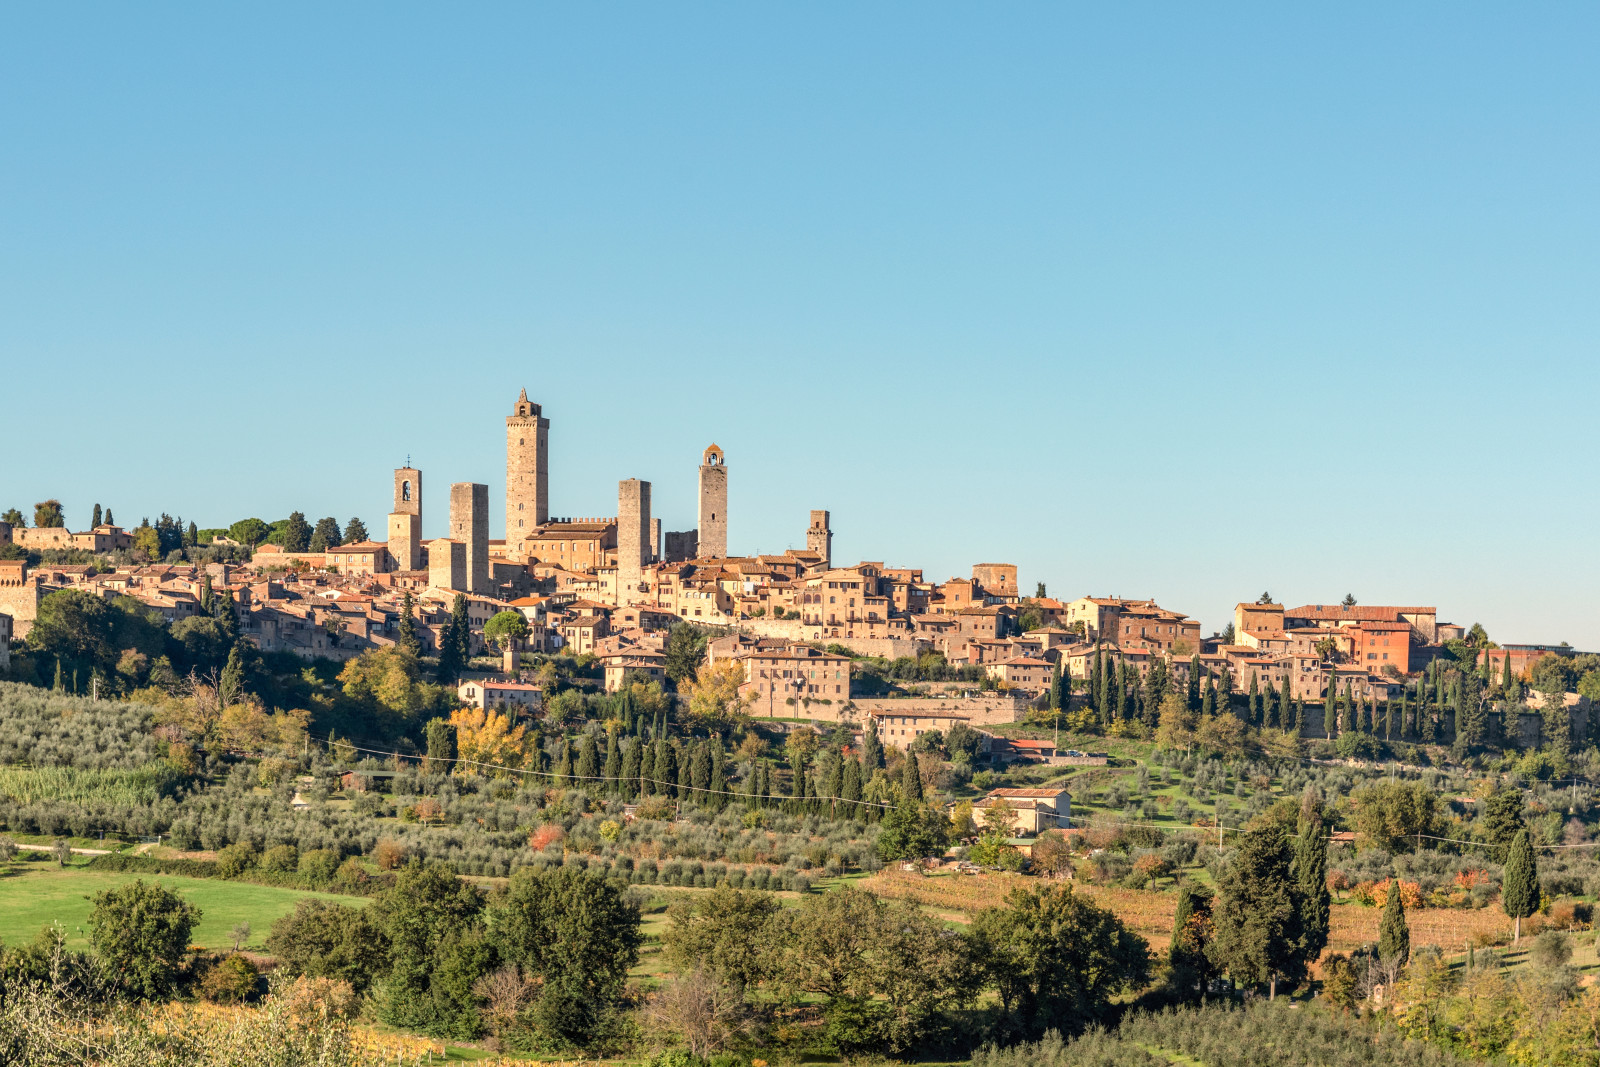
{"x": 36, "y": 895}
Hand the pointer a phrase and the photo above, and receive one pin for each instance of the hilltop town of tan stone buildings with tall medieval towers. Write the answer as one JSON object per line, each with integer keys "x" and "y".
{"x": 612, "y": 589}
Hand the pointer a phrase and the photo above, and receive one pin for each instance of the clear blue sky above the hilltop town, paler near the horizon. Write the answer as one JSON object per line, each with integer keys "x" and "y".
{"x": 1172, "y": 303}
